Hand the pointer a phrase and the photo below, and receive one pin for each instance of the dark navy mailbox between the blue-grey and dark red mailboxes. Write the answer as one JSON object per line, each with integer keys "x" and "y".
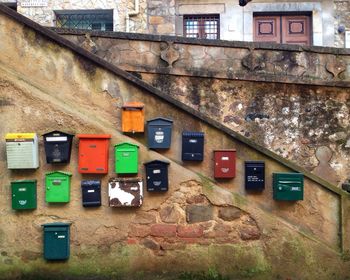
{"x": 192, "y": 146}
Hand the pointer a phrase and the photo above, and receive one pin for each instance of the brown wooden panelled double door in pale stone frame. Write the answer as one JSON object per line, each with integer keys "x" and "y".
{"x": 286, "y": 28}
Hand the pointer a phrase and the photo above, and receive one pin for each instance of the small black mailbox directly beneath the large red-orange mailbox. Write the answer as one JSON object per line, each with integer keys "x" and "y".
{"x": 91, "y": 190}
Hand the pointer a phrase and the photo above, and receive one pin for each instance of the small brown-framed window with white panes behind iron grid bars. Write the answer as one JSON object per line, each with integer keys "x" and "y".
{"x": 202, "y": 26}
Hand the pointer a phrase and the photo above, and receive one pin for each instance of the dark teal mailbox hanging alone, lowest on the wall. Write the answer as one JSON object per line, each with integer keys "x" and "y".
{"x": 56, "y": 241}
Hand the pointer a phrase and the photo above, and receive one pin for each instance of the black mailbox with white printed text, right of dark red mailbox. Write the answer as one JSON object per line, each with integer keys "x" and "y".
{"x": 254, "y": 175}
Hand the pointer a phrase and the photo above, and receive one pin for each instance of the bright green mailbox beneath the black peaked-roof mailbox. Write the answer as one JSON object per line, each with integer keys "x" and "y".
{"x": 57, "y": 186}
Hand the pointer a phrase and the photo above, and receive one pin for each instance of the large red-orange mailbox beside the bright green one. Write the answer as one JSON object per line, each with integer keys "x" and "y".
{"x": 93, "y": 153}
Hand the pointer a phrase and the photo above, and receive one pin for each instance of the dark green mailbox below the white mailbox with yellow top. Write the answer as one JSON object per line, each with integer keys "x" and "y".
{"x": 23, "y": 194}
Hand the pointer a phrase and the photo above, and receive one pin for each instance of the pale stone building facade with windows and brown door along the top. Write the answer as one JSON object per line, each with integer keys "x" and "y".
{"x": 318, "y": 23}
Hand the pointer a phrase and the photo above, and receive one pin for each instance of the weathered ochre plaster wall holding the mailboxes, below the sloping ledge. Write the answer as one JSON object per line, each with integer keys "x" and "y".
{"x": 198, "y": 225}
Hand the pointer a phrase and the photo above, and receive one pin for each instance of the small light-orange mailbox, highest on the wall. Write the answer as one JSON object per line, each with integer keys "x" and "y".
{"x": 133, "y": 117}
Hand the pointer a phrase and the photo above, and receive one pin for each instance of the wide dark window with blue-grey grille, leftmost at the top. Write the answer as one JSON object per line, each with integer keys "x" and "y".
{"x": 85, "y": 19}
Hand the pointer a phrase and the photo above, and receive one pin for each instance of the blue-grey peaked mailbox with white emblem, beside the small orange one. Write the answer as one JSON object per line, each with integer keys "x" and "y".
{"x": 159, "y": 133}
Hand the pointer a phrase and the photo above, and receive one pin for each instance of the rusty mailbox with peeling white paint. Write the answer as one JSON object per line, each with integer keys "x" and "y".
{"x": 125, "y": 192}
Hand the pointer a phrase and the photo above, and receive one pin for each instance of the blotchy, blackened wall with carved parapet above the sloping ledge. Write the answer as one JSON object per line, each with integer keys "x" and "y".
{"x": 302, "y": 111}
